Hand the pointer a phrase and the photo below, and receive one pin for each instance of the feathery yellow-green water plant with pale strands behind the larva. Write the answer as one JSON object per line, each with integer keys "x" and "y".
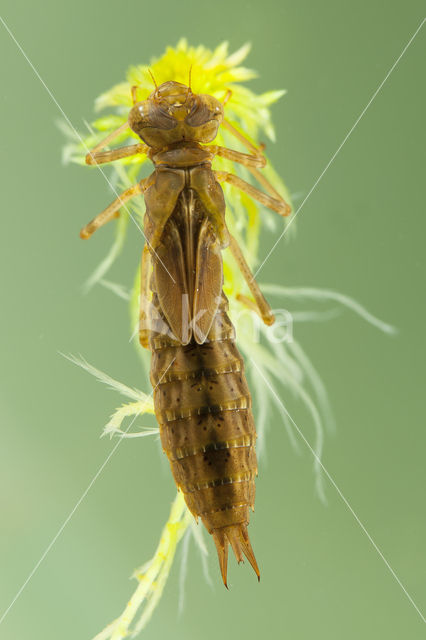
{"x": 284, "y": 366}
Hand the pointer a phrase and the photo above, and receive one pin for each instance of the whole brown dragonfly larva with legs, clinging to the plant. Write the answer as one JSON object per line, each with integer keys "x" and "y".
{"x": 201, "y": 398}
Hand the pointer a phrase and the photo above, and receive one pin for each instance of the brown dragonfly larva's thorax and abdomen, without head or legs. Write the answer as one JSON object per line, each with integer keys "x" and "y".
{"x": 201, "y": 398}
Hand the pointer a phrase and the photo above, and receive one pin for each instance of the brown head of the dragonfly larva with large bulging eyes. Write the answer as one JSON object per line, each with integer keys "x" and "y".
{"x": 172, "y": 113}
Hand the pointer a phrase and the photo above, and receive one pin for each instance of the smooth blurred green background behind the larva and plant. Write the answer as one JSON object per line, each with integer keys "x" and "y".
{"x": 361, "y": 232}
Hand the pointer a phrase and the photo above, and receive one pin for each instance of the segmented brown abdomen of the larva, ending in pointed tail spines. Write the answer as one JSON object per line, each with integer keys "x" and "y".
{"x": 203, "y": 407}
